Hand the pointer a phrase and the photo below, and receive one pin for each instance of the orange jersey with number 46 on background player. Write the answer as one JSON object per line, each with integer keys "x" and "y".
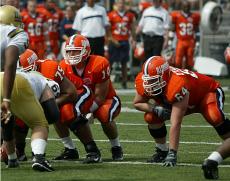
{"x": 34, "y": 26}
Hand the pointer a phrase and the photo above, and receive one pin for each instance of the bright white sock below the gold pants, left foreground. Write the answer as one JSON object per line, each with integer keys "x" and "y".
{"x": 38, "y": 146}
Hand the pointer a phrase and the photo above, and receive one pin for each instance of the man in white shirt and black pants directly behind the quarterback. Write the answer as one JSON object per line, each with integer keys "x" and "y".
{"x": 91, "y": 21}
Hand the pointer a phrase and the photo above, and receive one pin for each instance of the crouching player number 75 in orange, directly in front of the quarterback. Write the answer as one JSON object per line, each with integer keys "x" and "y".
{"x": 72, "y": 104}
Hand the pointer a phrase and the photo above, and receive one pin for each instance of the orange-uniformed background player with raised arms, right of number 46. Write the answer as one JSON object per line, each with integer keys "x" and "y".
{"x": 54, "y": 16}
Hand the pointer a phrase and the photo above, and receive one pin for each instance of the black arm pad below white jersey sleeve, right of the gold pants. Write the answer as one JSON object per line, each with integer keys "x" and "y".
{"x": 51, "y": 111}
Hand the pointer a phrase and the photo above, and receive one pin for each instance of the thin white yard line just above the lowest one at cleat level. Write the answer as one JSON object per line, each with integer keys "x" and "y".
{"x": 145, "y": 141}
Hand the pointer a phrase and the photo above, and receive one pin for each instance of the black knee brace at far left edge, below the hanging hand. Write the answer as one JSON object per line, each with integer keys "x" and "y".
{"x": 7, "y": 129}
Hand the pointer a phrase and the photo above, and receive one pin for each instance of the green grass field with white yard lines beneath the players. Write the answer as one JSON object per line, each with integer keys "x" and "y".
{"x": 198, "y": 140}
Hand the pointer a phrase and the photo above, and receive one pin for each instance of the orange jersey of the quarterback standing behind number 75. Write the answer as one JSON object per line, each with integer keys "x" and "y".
{"x": 96, "y": 71}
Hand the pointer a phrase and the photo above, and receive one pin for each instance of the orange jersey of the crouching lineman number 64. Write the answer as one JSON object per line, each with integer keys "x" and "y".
{"x": 182, "y": 81}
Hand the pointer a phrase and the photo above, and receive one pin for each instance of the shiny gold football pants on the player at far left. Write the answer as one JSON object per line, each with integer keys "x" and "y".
{"x": 24, "y": 103}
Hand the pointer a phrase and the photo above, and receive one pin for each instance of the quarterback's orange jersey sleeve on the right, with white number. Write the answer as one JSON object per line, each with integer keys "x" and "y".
{"x": 101, "y": 71}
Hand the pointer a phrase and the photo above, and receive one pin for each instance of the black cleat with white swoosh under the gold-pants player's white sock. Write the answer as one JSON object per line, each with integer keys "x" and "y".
{"x": 40, "y": 164}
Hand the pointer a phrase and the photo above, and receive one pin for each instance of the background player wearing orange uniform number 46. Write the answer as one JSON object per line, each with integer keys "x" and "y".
{"x": 34, "y": 25}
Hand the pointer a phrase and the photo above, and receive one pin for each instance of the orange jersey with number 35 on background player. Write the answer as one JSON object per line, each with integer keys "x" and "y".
{"x": 121, "y": 25}
